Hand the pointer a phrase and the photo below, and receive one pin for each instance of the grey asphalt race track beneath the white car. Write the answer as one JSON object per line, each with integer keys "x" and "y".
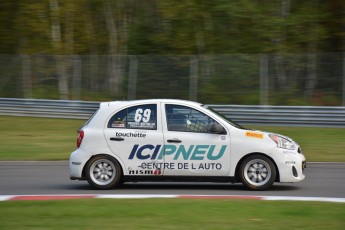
{"x": 52, "y": 178}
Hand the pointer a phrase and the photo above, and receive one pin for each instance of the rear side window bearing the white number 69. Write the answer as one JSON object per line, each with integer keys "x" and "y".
{"x": 137, "y": 117}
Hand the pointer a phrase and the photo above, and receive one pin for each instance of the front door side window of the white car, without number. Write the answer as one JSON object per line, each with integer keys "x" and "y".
{"x": 185, "y": 119}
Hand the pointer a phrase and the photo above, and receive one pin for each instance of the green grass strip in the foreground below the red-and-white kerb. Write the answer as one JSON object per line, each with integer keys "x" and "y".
{"x": 171, "y": 214}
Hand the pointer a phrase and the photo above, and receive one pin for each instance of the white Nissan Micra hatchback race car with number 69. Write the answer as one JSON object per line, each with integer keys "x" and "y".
{"x": 176, "y": 140}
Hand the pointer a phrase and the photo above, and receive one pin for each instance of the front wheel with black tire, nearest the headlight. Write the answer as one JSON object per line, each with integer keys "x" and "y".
{"x": 257, "y": 172}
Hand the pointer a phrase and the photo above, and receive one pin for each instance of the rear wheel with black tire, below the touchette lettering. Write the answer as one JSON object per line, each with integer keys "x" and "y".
{"x": 103, "y": 172}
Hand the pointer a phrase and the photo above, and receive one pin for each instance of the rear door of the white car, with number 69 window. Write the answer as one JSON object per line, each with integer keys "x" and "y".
{"x": 134, "y": 134}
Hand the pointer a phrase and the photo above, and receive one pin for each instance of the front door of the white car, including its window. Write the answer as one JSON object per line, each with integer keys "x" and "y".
{"x": 192, "y": 148}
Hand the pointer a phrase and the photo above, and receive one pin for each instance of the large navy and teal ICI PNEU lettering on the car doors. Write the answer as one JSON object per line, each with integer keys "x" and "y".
{"x": 192, "y": 152}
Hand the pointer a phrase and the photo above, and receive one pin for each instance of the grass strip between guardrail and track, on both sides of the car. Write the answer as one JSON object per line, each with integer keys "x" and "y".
{"x": 29, "y": 138}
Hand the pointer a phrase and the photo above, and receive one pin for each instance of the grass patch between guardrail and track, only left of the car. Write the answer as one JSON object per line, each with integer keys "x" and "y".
{"x": 32, "y": 138}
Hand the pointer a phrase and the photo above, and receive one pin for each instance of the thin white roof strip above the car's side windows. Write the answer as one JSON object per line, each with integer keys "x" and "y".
{"x": 147, "y": 101}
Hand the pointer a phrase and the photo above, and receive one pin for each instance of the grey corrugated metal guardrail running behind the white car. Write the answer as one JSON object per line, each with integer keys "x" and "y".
{"x": 315, "y": 116}
